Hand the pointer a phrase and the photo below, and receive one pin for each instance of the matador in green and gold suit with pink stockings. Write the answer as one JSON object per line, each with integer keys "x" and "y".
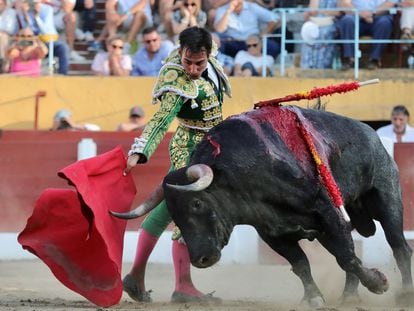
{"x": 190, "y": 87}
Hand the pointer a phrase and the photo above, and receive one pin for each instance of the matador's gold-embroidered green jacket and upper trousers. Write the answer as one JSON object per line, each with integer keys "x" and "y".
{"x": 197, "y": 104}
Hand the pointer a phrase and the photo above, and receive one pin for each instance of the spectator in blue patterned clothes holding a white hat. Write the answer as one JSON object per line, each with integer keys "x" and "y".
{"x": 323, "y": 22}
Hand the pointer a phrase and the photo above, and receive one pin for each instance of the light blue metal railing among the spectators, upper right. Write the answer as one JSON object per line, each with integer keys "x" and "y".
{"x": 357, "y": 41}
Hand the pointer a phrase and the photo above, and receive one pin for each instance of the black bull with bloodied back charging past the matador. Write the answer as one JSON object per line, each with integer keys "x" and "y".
{"x": 255, "y": 169}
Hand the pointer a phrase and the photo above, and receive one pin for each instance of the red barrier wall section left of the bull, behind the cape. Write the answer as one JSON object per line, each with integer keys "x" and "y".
{"x": 30, "y": 160}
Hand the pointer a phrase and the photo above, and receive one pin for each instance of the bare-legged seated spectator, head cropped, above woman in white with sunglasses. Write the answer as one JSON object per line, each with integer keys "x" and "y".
{"x": 130, "y": 15}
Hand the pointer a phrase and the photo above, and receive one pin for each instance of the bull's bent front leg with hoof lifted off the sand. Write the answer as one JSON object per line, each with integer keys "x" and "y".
{"x": 338, "y": 241}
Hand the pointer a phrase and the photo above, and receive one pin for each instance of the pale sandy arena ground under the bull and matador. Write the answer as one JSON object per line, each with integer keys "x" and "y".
{"x": 29, "y": 285}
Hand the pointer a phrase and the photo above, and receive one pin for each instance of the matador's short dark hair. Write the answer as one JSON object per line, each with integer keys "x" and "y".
{"x": 196, "y": 39}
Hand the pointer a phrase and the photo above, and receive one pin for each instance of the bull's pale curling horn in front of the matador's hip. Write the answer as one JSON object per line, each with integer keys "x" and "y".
{"x": 201, "y": 174}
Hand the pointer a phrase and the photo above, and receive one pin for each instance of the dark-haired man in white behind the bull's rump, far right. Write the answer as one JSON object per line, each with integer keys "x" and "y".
{"x": 399, "y": 130}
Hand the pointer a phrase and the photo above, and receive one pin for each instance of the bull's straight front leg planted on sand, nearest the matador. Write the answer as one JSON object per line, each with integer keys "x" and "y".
{"x": 300, "y": 266}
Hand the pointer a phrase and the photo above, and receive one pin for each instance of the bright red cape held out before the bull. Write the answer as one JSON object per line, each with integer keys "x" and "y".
{"x": 73, "y": 233}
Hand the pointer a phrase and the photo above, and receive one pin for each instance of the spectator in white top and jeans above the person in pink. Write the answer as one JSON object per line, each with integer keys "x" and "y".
{"x": 39, "y": 17}
